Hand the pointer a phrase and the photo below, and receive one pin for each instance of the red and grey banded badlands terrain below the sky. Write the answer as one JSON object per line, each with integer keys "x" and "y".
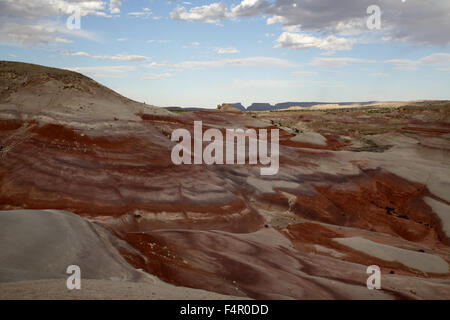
{"x": 86, "y": 178}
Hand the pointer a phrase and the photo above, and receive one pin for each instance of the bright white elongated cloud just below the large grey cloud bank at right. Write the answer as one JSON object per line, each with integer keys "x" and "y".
{"x": 302, "y": 41}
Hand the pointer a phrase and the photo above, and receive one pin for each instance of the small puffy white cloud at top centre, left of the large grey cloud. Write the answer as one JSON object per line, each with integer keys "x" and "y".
{"x": 211, "y": 13}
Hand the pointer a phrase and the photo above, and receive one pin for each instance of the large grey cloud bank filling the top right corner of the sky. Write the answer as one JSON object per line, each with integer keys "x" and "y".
{"x": 424, "y": 22}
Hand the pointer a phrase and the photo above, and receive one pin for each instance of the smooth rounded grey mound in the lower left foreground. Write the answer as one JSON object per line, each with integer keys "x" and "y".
{"x": 41, "y": 244}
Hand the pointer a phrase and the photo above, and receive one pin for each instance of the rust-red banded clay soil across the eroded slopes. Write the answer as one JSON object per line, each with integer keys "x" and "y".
{"x": 195, "y": 225}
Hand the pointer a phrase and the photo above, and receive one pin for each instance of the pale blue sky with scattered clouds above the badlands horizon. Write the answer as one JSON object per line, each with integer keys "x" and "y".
{"x": 201, "y": 53}
